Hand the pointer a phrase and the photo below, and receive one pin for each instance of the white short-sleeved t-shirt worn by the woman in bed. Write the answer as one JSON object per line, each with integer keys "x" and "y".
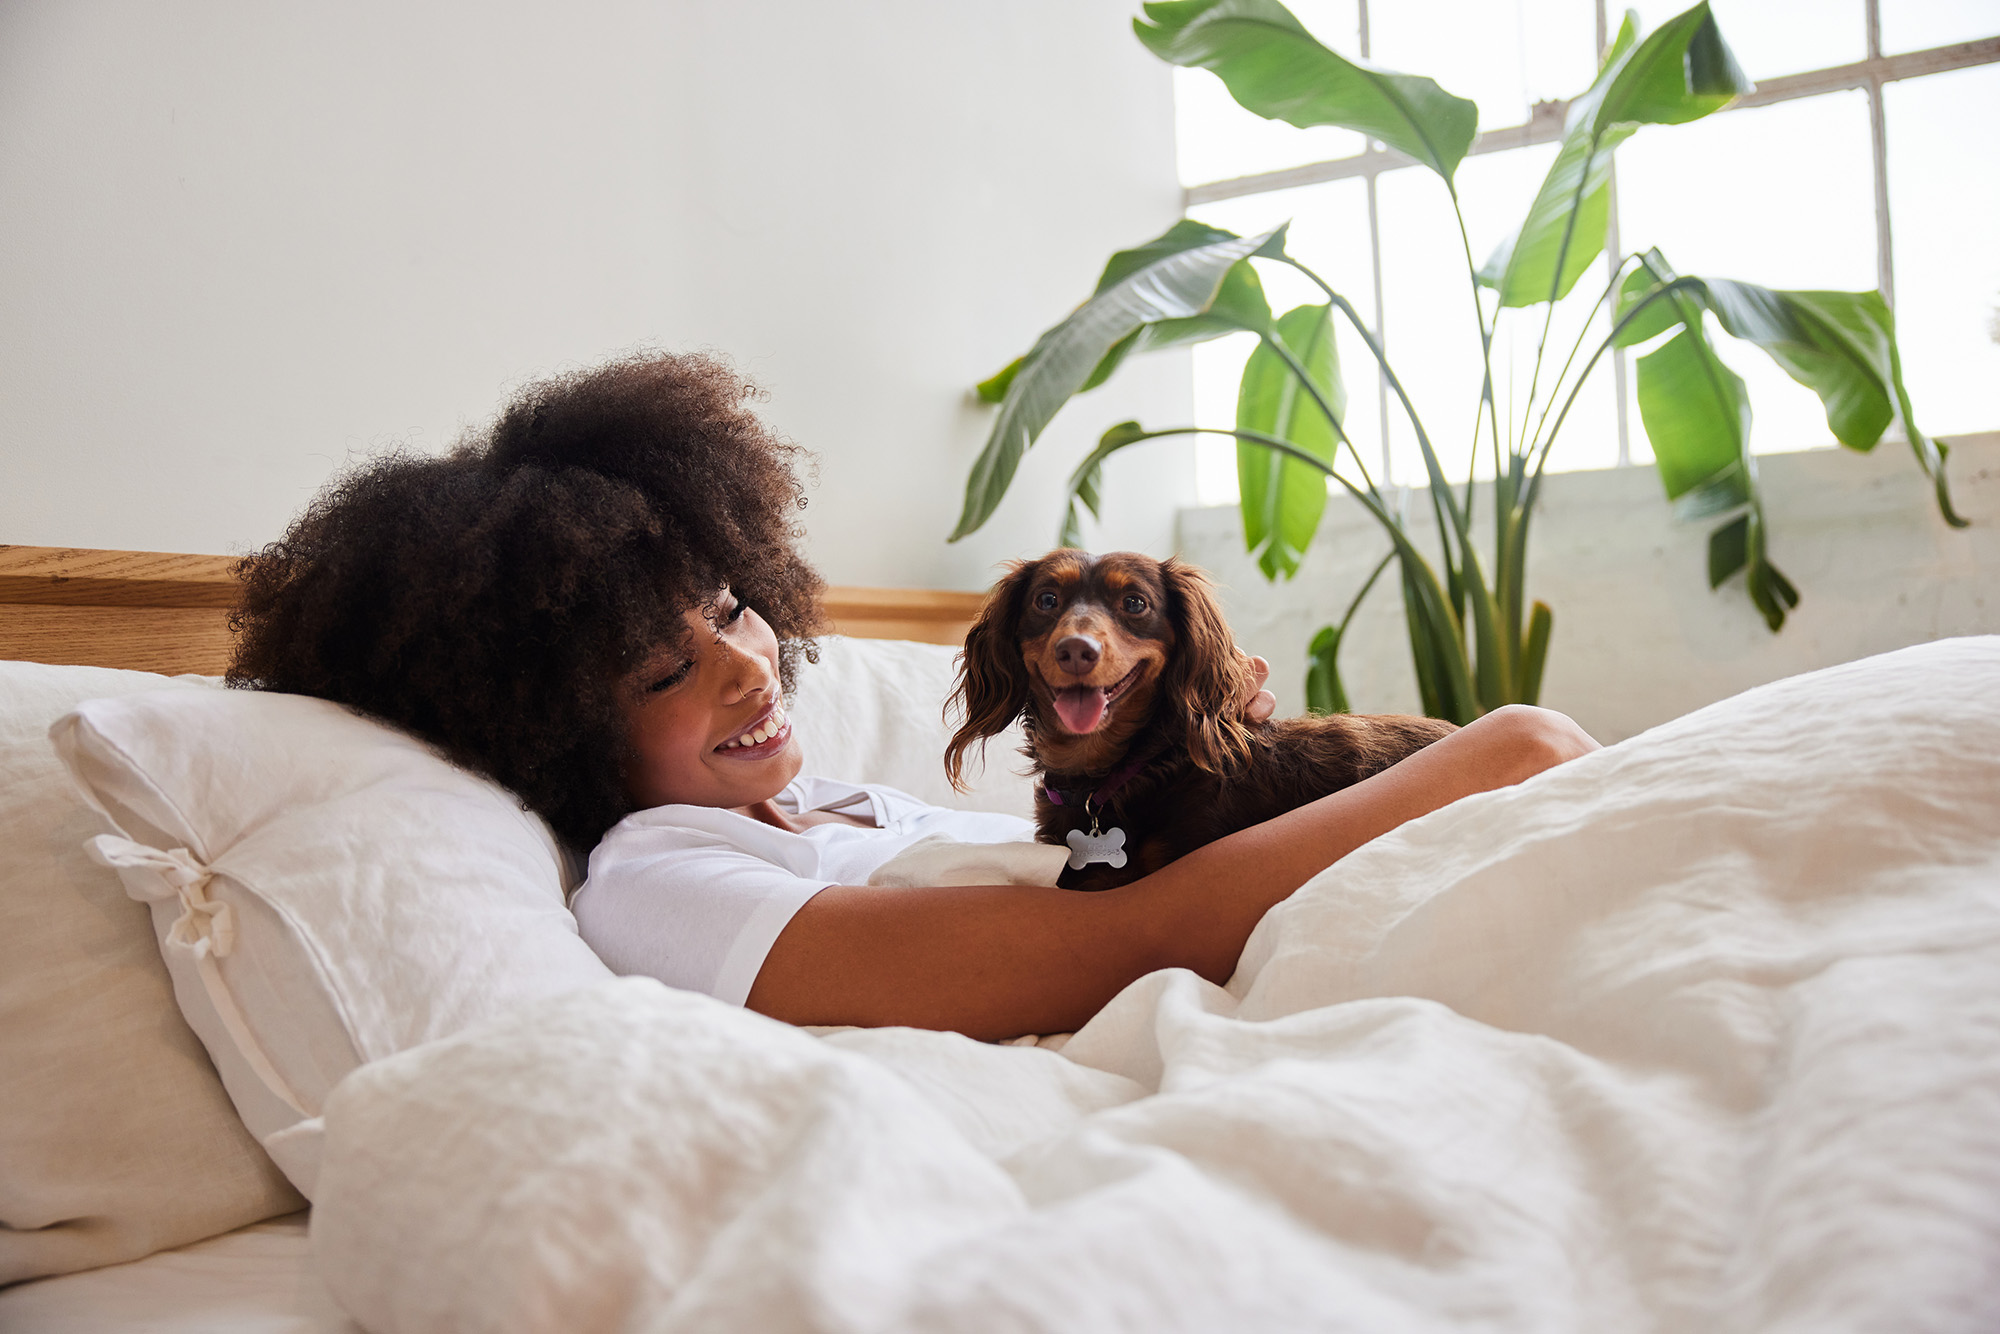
{"x": 697, "y": 895}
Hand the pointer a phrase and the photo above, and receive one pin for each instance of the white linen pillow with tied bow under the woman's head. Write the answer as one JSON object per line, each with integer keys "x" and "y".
{"x": 327, "y": 891}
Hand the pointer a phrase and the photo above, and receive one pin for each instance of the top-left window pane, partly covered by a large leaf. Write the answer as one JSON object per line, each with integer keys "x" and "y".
{"x": 1221, "y": 141}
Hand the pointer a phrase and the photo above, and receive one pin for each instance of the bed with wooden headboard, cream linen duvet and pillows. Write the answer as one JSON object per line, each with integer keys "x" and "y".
{"x": 1697, "y": 1033}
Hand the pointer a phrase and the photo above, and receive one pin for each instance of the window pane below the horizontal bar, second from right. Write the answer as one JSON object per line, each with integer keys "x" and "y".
{"x": 1779, "y": 195}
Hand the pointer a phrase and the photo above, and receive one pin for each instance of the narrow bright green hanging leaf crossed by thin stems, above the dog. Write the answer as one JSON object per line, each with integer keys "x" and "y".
{"x": 1283, "y": 499}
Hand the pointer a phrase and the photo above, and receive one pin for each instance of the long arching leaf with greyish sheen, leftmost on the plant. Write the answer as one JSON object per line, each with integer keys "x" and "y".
{"x": 1177, "y": 287}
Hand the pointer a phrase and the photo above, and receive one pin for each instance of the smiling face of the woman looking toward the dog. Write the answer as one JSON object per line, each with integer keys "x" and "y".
{"x": 707, "y": 719}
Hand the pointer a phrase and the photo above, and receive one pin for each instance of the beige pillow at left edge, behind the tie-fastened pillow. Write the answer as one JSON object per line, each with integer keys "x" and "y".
{"x": 117, "y": 1137}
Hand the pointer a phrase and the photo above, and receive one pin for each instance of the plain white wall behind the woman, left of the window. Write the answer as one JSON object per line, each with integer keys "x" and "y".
{"x": 241, "y": 243}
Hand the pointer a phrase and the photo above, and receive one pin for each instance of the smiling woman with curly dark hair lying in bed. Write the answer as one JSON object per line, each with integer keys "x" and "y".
{"x": 601, "y": 605}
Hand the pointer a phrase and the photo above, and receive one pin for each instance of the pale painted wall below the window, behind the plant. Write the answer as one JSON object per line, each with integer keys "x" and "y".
{"x": 1639, "y": 637}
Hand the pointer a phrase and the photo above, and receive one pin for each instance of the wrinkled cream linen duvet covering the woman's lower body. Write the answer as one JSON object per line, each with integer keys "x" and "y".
{"x": 1699, "y": 1033}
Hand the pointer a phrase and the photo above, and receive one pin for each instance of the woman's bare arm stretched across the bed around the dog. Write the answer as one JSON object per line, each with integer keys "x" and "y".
{"x": 1003, "y": 961}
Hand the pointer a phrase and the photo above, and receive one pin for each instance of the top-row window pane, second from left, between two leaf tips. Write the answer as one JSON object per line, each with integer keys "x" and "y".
{"x": 1505, "y": 55}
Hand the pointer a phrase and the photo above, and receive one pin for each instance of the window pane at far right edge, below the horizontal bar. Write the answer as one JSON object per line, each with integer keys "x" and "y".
{"x": 1945, "y": 195}
